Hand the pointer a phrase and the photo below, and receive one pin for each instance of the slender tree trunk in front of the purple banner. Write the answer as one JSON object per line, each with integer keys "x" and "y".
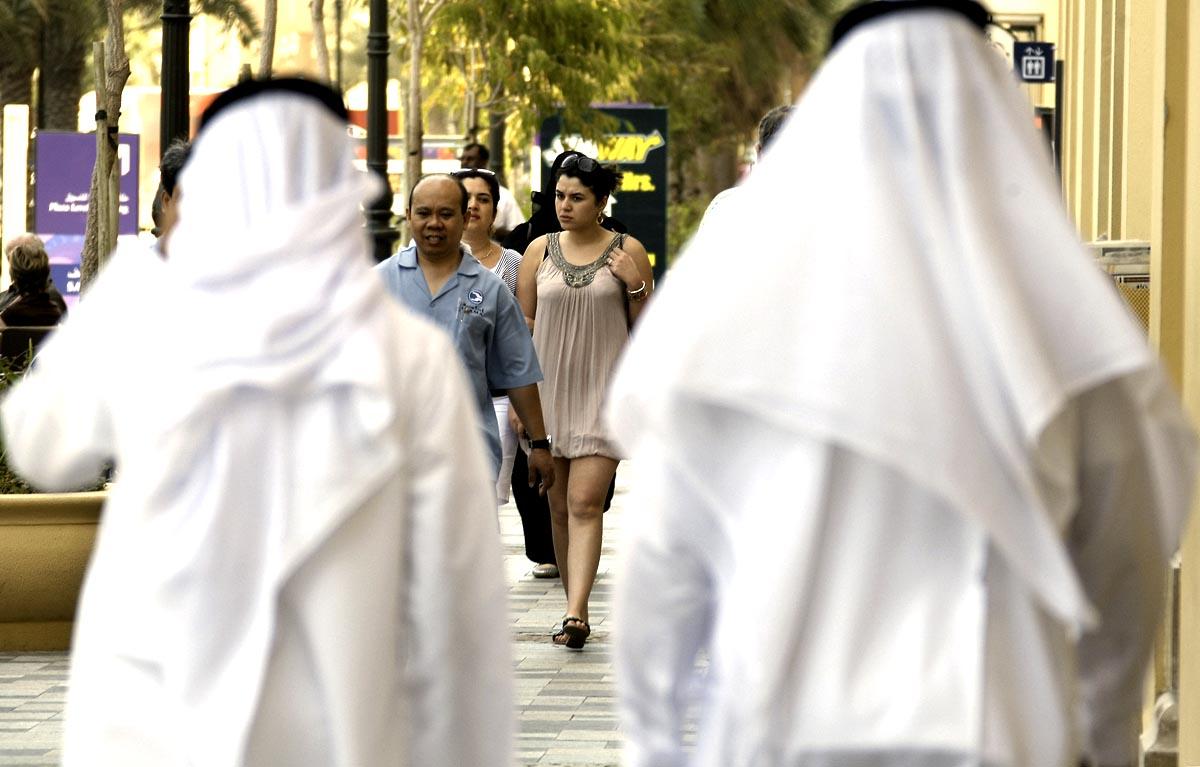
{"x": 117, "y": 73}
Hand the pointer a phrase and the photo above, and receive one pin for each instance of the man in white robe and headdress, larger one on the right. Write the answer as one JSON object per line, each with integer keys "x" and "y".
{"x": 914, "y": 483}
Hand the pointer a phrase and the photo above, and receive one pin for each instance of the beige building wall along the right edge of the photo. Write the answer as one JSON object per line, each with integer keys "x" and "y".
{"x": 1132, "y": 171}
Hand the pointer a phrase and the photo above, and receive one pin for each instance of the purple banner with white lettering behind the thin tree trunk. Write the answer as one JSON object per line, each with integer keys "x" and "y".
{"x": 64, "y": 181}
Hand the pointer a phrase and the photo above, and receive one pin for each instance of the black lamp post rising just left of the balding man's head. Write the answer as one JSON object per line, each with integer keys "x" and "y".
{"x": 380, "y": 213}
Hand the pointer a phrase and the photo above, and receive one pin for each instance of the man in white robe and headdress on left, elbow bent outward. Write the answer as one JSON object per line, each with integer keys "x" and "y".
{"x": 298, "y": 564}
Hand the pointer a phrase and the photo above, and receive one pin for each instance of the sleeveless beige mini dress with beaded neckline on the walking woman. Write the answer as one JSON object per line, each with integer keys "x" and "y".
{"x": 580, "y": 329}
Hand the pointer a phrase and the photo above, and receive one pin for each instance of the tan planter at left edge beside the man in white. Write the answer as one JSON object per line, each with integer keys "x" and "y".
{"x": 46, "y": 542}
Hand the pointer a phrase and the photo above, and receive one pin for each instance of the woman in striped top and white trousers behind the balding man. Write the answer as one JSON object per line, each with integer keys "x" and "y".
{"x": 483, "y": 193}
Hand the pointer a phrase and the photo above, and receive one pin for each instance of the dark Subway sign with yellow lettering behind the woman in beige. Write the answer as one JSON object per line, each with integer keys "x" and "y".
{"x": 639, "y": 149}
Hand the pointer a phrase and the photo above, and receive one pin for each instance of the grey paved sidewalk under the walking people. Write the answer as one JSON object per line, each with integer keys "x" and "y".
{"x": 565, "y": 699}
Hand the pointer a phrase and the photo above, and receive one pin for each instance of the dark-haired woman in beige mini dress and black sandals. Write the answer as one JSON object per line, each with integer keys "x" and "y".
{"x": 581, "y": 291}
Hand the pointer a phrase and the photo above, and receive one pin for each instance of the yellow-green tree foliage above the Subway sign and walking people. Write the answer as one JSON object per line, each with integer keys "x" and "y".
{"x": 718, "y": 67}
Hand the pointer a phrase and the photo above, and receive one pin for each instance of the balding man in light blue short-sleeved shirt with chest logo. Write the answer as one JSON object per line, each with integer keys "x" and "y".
{"x": 436, "y": 278}
